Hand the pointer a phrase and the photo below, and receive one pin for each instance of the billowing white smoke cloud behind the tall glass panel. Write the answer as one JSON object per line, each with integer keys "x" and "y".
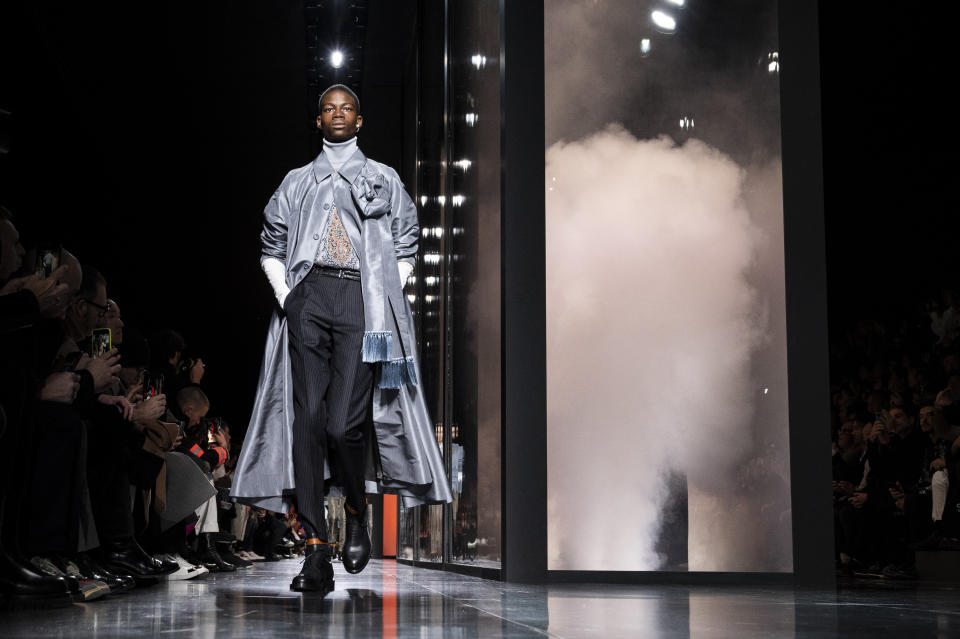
{"x": 654, "y": 322}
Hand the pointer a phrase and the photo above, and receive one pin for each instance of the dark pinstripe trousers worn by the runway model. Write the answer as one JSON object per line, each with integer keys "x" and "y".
{"x": 332, "y": 389}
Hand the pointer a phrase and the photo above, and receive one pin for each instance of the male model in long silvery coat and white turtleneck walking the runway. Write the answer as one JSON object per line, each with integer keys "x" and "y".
{"x": 339, "y": 241}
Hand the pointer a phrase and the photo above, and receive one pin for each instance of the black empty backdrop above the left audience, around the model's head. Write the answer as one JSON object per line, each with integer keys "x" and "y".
{"x": 147, "y": 137}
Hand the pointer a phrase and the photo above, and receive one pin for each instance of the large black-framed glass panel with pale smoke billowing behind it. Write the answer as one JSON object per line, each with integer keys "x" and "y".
{"x": 667, "y": 404}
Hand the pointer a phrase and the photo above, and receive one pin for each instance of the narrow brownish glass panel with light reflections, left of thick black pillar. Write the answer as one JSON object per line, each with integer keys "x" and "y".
{"x": 473, "y": 226}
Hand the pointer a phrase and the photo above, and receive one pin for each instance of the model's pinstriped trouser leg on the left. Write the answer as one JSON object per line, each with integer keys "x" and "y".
{"x": 310, "y": 348}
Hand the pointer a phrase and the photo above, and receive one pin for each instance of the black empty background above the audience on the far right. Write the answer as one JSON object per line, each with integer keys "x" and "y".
{"x": 888, "y": 143}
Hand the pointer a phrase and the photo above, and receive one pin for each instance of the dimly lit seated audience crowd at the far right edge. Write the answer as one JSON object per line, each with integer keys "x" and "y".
{"x": 896, "y": 493}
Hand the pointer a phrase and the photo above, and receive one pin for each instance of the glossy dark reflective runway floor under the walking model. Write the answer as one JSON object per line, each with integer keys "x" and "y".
{"x": 391, "y": 600}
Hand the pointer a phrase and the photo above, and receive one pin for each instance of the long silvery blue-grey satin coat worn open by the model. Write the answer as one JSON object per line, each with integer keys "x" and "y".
{"x": 403, "y": 455}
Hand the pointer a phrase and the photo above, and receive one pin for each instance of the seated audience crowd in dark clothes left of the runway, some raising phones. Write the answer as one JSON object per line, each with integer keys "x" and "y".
{"x": 85, "y": 445}
